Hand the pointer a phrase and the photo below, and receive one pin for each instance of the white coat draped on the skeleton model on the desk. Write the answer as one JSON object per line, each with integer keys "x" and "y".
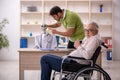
{"x": 45, "y": 41}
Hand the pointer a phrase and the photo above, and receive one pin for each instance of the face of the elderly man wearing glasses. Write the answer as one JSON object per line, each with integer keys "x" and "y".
{"x": 90, "y": 31}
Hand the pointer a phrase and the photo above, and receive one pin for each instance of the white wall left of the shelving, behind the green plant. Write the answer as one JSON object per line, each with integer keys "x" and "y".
{"x": 10, "y": 9}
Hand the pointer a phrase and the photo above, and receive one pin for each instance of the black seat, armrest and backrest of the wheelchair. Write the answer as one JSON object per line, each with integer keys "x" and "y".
{"x": 74, "y": 66}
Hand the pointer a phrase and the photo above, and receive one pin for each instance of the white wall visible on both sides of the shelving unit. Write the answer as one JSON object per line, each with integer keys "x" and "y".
{"x": 10, "y": 9}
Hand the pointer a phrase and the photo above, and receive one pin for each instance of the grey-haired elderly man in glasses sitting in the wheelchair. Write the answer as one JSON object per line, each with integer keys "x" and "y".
{"x": 85, "y": 49}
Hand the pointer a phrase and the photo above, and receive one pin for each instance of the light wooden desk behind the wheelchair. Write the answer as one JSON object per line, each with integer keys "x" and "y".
{"x": 29, "y": 59}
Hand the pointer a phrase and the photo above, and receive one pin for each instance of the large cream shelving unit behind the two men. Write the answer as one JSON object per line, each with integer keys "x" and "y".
{"x": 88, "y": 10}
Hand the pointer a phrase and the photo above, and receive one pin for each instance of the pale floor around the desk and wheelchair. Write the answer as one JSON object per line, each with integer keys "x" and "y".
{"x": 9, "y": 70}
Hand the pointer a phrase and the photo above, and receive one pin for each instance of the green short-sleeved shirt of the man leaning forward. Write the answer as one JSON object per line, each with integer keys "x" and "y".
{"x": 72, "y": 20}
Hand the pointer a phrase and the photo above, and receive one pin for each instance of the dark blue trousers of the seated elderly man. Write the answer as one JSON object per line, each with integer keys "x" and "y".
{"x": 50, "y": 62}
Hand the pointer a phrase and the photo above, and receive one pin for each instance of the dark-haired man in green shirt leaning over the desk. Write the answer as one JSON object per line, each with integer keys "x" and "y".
{"x": 71, "y": 22}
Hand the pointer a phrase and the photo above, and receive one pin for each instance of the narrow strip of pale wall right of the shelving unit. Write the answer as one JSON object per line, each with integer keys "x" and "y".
{"x": 116, "y": 30}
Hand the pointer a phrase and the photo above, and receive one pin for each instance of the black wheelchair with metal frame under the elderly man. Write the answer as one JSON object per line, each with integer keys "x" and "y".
{"x": 90, "y": 71}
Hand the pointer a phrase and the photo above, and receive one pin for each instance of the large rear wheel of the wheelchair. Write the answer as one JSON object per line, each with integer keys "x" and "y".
{"x": 91, "y": 73}
